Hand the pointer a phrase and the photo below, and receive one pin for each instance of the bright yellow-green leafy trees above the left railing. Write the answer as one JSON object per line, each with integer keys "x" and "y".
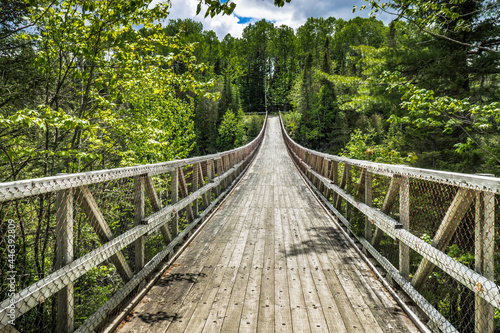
{"x": 83, "y": 88}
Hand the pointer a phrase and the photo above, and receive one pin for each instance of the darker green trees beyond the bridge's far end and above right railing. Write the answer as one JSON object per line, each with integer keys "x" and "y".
{"x": 414, "y": 92}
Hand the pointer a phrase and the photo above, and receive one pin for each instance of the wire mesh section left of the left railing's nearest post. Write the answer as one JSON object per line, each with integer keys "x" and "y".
{"x": 28, "y": 248}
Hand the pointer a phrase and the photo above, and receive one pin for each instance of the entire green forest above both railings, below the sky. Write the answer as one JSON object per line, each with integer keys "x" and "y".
{"x": 90, "y": 85}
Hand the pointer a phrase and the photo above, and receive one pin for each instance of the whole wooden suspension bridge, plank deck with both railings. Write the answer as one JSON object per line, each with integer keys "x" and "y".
{"x": 269, "y": 237}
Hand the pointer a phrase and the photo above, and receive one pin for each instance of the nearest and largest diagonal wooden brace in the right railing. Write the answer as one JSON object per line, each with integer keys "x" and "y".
{"x": 454, "y": 215}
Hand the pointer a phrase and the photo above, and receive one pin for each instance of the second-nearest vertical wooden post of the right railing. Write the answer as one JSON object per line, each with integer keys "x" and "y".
{"x": 404, "y": 213}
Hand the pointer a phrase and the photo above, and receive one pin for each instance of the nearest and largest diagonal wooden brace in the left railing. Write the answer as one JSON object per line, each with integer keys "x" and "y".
{"x": 89, "y": 206}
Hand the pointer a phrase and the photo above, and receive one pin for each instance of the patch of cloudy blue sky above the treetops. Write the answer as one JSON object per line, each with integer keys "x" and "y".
{"x": 293, "y": 14}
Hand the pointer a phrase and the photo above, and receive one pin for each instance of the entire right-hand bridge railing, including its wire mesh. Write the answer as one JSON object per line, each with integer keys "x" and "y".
{"x": 435, "y": 233}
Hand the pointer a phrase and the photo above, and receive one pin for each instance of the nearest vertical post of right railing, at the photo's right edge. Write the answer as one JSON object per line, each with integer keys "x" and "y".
{"x": 484, "y": 257}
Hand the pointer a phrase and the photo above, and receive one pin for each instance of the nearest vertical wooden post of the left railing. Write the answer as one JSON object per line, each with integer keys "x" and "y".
{"x": 64, "y": 255}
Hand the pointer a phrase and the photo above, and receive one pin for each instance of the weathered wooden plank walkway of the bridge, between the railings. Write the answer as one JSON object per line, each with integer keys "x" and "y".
{"x": 270, "y": 260}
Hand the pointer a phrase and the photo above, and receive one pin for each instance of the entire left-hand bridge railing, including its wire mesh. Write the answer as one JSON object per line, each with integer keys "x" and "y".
{"x": 76, "y": 247}
